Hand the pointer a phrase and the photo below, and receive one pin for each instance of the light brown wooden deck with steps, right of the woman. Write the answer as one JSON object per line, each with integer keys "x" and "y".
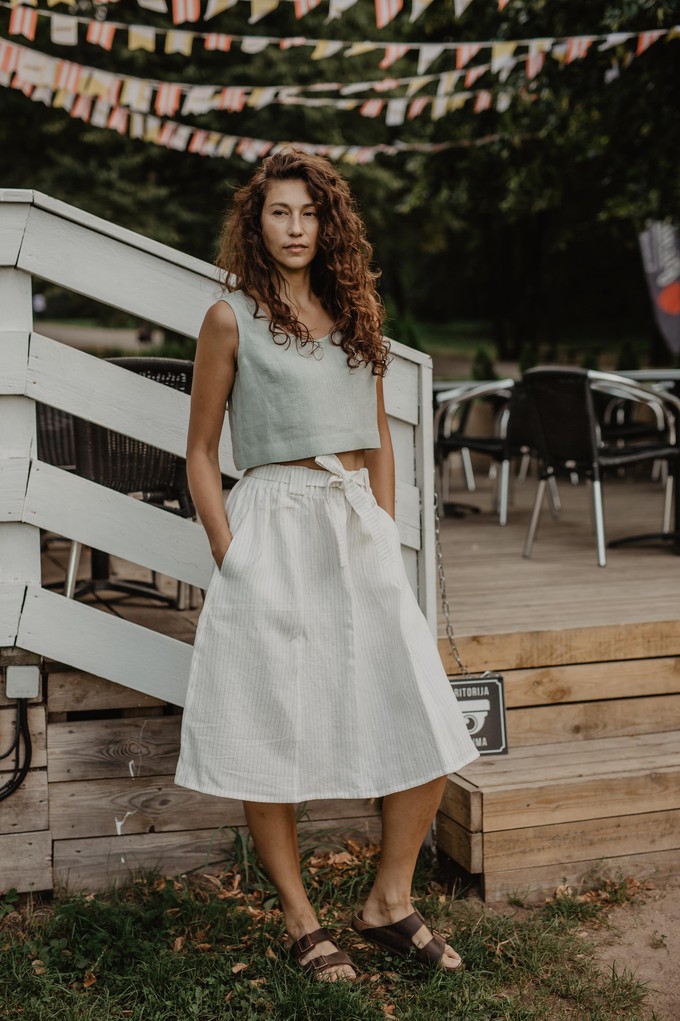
{"x": 592, "y": 785}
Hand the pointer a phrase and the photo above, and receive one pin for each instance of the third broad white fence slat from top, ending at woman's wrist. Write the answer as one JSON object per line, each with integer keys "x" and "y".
{"x": 119, "y": 524}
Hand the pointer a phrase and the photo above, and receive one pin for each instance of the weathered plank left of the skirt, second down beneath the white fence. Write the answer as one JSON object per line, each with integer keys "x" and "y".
{"x": 101, "y": 749}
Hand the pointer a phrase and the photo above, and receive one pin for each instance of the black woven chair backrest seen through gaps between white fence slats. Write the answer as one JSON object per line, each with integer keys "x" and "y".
{"x": 127, "y": 465}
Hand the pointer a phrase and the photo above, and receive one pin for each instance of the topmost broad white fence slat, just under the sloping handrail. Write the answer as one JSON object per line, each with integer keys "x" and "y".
{"x": 120, "y": 275}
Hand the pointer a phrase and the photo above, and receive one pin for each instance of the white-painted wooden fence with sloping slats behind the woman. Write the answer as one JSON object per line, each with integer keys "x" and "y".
{"x": 60, "y": 244}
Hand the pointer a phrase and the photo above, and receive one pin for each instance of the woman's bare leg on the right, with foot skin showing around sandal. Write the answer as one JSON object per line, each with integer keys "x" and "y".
{"x": 407, "y": 818}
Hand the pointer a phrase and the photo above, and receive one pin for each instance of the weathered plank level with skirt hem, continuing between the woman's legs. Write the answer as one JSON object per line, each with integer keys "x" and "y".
{"x": 126, "y": 806}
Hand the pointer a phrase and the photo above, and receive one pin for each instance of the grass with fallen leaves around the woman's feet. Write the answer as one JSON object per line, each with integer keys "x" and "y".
{"x": 207, "y": 948}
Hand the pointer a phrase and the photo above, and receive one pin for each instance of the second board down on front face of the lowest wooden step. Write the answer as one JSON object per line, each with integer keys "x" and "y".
{"x": 575, "y": 842}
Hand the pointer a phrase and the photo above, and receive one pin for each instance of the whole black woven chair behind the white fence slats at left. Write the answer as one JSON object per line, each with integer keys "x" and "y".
{"x": 129, "y": 466}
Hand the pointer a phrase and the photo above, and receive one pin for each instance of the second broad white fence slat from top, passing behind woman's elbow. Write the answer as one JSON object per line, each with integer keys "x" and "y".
{"x": 110, "y": 396}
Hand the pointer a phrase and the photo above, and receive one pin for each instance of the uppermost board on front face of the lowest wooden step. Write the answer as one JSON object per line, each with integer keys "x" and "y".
{"x": 652, "y": 789}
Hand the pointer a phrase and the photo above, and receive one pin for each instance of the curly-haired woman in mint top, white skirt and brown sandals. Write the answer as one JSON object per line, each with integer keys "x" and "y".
{"x": 314, "y": 673}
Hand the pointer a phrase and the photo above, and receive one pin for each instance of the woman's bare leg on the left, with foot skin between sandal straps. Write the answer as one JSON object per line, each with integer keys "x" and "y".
{"x": 274, "y": 831}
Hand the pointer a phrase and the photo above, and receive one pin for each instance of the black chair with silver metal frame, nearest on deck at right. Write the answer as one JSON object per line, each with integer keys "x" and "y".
{"x": 569, "y": 437}
